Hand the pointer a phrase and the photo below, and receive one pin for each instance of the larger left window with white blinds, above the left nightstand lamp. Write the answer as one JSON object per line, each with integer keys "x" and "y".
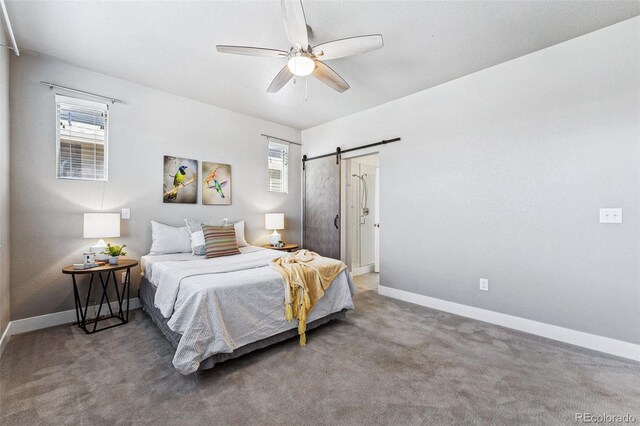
{"x": 81, "y": 139}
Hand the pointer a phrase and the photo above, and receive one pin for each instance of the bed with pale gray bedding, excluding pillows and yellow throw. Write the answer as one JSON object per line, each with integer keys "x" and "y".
{"x": 212, "y": 310}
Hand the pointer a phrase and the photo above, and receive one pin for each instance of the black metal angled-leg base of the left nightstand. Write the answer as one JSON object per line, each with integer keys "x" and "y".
{"x": 120, "y": 314}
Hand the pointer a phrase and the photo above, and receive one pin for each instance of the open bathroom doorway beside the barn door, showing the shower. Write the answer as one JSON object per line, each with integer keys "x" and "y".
{"x": 361, "y": 230}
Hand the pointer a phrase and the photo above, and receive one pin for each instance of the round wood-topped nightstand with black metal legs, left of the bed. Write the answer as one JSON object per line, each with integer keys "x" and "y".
{"x": 121, "y": 316}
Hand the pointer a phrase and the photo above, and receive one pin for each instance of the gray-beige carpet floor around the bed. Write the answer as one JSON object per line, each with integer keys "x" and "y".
{"x": 388, "y": 362}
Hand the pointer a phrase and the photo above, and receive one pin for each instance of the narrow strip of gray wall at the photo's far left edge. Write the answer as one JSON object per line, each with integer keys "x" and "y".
{"x": 4, "y": 187}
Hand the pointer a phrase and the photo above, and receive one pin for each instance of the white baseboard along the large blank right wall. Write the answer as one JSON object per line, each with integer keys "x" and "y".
{"x": 566, "y": 335}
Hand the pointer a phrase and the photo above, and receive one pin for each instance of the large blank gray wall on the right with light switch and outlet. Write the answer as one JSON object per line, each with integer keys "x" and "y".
{"x": 500, "y": 175}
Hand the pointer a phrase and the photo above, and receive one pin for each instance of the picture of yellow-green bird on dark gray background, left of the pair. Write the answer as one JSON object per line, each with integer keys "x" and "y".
{"x": 180, "y": 180}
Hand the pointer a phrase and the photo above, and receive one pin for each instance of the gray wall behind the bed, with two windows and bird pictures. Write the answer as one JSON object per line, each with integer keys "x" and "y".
{"x": 46, "y": 213}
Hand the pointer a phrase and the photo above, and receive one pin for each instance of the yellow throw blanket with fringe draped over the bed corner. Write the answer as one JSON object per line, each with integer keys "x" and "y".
{"x": 306, "y": 276}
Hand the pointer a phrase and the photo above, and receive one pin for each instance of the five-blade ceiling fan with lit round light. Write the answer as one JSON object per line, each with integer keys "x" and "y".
{"x": 302, "y": 59}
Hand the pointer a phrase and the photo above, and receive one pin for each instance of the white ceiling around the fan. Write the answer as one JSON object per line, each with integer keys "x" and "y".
{"x": 170, "y": 45}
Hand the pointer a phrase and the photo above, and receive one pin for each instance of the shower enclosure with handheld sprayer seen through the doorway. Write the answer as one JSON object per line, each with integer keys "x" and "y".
{"x": 361, "y": 218}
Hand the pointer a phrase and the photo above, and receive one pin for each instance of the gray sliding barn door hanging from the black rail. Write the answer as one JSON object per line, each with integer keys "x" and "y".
{"x": 322, "y": 206}
